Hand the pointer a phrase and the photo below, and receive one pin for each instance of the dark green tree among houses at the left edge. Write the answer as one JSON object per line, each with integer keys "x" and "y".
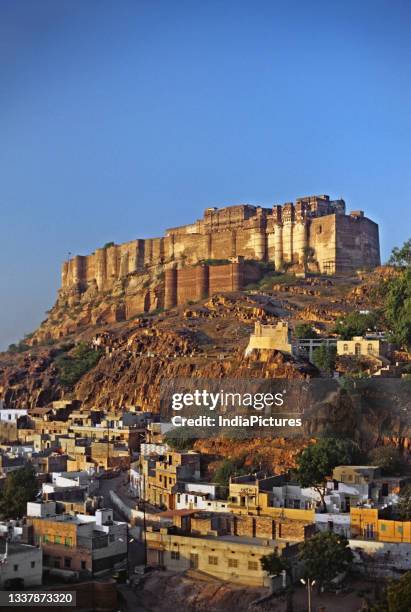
{"x": 20, "y": 487}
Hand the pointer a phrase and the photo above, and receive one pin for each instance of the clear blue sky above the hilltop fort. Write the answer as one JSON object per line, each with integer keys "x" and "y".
{"x": 119, "y": 119}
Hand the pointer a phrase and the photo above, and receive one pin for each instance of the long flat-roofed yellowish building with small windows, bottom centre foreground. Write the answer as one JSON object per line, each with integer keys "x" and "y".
{"x": 226, "y": 547}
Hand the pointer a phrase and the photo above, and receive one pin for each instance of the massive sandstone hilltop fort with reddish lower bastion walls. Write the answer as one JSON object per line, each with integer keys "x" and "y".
{"x": 314, "y": 233}
